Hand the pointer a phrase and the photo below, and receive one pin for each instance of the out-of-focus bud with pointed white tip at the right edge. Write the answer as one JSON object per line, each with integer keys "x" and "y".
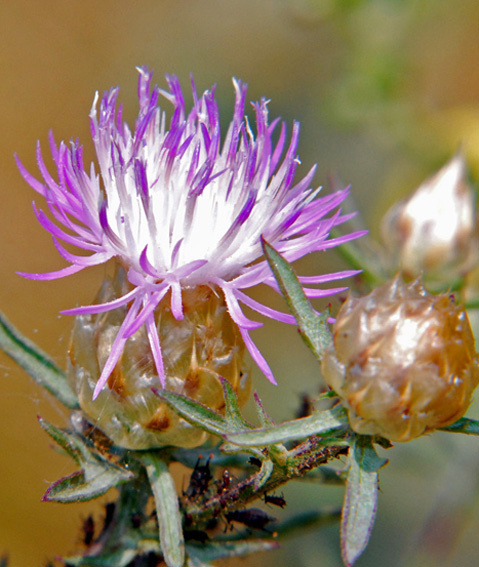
{"x": 434, "y": 231}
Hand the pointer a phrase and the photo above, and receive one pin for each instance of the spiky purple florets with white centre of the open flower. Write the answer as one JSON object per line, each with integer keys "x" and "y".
{"x": 178, "y": 208}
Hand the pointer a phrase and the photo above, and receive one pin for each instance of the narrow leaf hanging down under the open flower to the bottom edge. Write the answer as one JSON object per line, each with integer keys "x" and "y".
{"x": 167, "y": 509}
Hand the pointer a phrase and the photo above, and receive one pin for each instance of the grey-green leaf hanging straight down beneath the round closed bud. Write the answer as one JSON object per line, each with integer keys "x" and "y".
{"x": 360, "y": 501}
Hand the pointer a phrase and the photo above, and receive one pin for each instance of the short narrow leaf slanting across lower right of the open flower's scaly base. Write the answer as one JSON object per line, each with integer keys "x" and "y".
{"x": 194, "y": 412}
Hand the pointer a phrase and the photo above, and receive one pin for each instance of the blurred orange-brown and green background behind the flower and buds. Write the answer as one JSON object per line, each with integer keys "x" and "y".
{"x": 385, "y": 90}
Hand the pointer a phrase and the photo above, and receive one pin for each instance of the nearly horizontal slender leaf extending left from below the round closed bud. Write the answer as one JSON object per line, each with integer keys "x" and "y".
{"x": 320, "y": 423}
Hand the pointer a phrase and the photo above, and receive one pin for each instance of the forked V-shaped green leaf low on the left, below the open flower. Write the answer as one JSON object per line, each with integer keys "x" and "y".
{"x": 97, "y": 476}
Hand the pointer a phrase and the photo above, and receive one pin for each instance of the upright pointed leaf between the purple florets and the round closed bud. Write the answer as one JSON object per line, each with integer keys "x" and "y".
{"x": 313, "y": 327}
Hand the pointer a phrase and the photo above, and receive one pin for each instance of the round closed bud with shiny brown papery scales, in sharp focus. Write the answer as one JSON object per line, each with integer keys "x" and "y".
{"x": 403, "y": 361}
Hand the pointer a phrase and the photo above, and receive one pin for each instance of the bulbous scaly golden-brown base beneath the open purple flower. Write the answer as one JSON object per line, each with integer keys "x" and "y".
{"x": 197, "y": 350}
